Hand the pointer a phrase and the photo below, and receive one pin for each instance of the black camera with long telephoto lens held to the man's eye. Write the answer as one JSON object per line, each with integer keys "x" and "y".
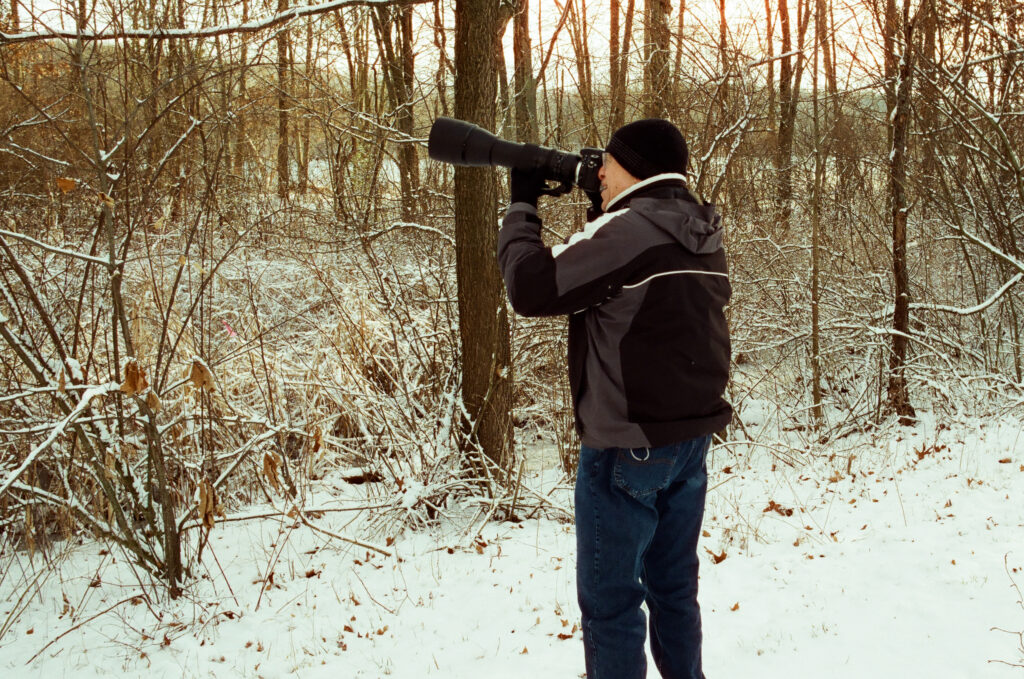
{"x": 459, "y": 143}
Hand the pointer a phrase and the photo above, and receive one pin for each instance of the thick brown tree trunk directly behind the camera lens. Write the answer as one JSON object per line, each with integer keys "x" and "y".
{"x": 487, "y": 385}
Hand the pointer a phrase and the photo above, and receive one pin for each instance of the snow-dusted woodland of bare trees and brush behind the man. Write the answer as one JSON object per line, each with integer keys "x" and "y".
{"x": 229, "y": 269}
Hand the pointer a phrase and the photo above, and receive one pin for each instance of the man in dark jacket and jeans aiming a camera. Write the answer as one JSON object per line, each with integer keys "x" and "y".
{"x": 646, "y": 285}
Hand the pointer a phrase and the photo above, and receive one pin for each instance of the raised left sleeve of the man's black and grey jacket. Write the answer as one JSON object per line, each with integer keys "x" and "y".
{"x": 567, "y": 279}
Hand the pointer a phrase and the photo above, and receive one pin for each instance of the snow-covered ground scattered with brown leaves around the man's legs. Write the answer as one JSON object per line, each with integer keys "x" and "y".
{"x": 898, "y": 564}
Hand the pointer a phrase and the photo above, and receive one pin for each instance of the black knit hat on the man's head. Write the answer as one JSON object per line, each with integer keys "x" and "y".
{"x": 650, "y": 147}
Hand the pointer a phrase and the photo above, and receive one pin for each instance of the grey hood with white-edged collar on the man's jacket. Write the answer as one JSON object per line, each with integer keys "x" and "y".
{"x": 665, "y": 201}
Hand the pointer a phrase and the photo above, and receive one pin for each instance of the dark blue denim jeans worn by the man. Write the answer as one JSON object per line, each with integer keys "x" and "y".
{"x": 638, "y": 520}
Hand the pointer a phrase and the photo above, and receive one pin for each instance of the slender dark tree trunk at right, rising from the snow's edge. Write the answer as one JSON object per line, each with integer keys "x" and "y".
{"x": 899, "y": 398}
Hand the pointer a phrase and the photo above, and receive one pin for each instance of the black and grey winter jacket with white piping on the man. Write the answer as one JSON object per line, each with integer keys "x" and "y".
{"x": 646, "y": 285}
